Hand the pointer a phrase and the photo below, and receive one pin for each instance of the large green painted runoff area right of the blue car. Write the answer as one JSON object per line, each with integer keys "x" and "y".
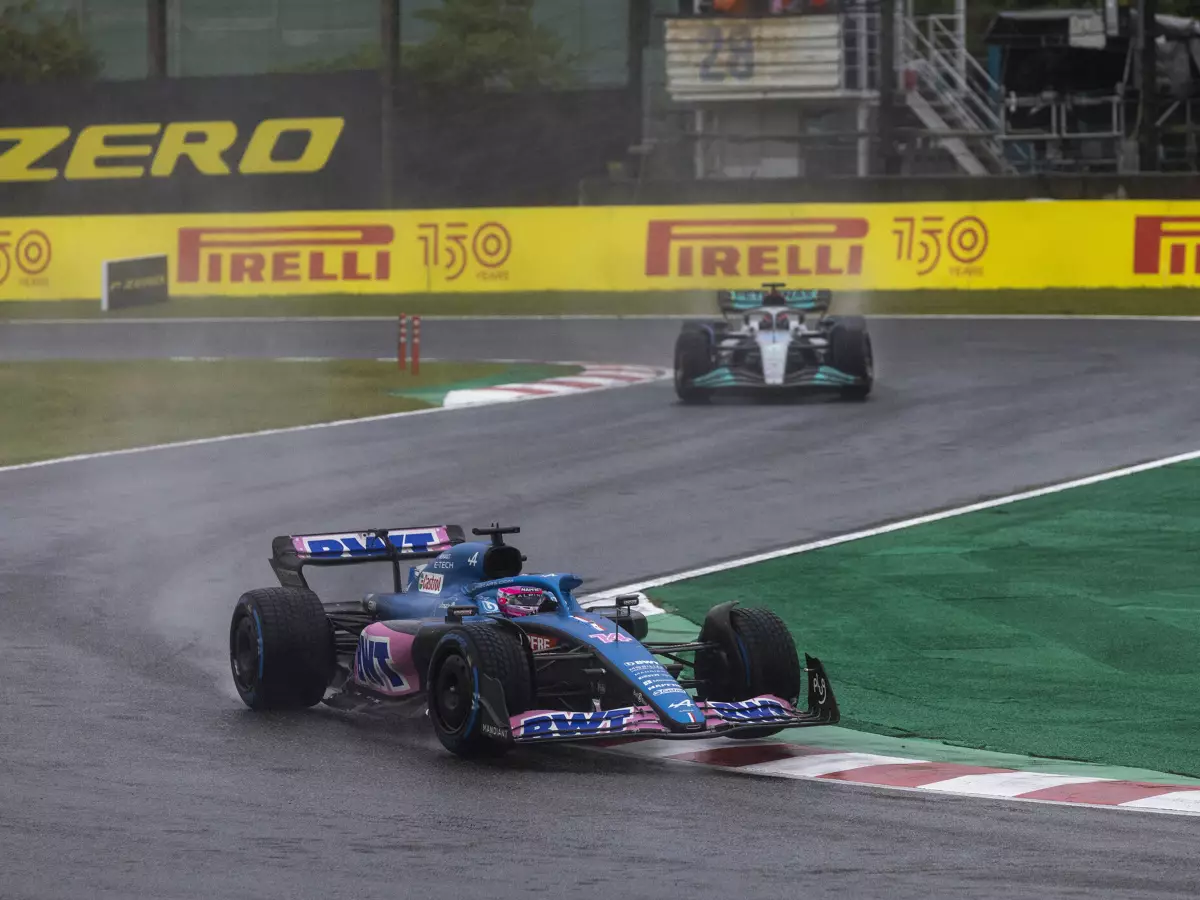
{"x": 1063, "y": 627}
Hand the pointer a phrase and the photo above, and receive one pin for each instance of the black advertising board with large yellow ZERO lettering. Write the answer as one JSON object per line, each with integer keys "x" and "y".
{"x": 191, "y": 145}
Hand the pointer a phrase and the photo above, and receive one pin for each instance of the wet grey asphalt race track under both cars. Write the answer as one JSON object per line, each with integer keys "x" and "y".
{"x": 130, "y": 770}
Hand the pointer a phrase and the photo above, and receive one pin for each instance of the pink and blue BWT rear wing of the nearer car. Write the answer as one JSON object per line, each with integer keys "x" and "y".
{"x": 292, "y": 553}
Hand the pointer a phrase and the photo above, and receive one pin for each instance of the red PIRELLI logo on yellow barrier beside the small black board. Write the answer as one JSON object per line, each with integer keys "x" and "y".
{"x": 286, "y": 254}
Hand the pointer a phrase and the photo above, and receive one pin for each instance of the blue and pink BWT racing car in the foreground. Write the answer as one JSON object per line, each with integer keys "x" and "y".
{"x": 503, "y": 658}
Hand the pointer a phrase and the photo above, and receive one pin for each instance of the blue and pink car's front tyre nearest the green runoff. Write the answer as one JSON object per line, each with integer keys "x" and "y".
{"x": 767, "y": 663}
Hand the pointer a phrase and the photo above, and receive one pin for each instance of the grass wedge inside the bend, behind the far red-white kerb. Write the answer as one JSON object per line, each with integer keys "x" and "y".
{"x": 62, "y": 409}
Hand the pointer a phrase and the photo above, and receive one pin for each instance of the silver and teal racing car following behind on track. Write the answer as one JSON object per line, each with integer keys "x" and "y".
{"x": 775, "y": 340}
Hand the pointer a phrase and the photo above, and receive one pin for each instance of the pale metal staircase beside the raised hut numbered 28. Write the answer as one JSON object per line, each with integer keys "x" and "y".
{"x": 951, "y": 94}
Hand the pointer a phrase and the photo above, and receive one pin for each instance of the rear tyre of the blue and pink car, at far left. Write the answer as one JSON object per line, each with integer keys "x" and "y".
{"x": 281, "y": 649}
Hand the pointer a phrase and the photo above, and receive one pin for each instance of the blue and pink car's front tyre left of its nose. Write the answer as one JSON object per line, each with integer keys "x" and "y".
{"x": 461, "y": 659}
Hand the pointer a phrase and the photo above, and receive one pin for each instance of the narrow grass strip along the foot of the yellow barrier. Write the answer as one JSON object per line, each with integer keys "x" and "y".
{"x": 1174, "y": 302}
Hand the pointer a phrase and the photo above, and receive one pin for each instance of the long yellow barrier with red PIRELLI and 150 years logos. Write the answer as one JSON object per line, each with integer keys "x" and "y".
{"x": 1022, "y": 245}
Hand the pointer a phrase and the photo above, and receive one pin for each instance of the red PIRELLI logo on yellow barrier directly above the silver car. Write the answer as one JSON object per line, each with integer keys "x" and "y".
{"x": 757, "y": 248}
